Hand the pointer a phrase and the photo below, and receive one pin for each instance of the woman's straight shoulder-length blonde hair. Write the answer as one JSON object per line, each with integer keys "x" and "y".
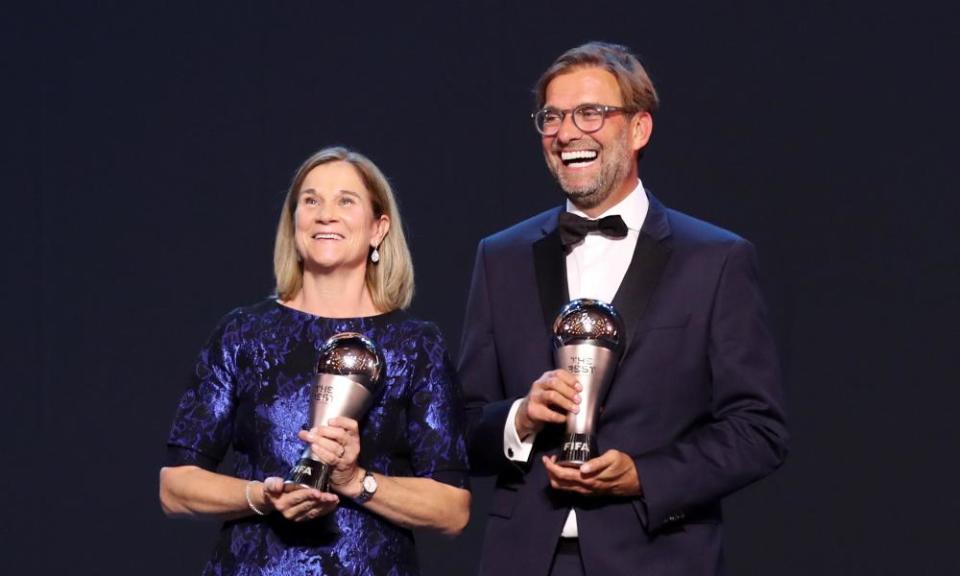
{"x": 390, "y": 281}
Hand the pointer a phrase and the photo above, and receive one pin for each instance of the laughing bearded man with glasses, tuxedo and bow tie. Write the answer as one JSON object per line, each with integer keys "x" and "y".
{"x": 695, "y": 408}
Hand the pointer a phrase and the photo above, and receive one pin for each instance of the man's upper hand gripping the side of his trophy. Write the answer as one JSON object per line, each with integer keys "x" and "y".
{"x": 551, "y": 396}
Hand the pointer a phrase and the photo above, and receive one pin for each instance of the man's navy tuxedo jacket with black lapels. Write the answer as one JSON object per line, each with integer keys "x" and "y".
{"x": 696, "y": 399}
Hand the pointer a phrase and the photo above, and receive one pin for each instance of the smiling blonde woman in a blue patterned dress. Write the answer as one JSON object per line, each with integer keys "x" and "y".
{"x": 341, "y": 264}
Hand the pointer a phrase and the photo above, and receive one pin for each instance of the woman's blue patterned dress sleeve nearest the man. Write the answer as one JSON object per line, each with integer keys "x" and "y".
{"x": 435, "y": 417}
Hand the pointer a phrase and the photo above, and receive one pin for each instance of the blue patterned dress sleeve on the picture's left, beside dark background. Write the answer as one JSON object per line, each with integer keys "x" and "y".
{"x": 202, "y": 428}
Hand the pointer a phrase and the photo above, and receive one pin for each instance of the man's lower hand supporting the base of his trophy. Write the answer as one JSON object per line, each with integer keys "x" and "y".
{"x": 613, "y": 473}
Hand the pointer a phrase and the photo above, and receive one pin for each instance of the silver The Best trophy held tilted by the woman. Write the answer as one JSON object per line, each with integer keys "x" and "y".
{"x": 349, "y": 378}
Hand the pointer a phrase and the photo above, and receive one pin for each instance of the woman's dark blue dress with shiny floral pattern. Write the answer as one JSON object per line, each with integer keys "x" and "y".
{"x": 251, "y": 393}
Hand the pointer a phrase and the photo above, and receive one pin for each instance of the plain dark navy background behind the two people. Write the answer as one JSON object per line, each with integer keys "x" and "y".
{"x": 148, "y": 147}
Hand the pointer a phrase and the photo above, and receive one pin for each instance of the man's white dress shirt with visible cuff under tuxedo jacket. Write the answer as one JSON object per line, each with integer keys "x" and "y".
{"x": 595, "y": 268}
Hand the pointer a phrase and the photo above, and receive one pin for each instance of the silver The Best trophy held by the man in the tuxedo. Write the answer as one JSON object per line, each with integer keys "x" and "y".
{"x": 588, "y": 341}
